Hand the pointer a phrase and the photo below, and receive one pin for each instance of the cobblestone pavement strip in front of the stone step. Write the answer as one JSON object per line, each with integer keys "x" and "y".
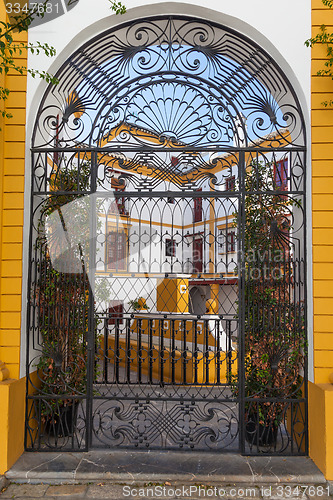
{"x": 165, "y": 491}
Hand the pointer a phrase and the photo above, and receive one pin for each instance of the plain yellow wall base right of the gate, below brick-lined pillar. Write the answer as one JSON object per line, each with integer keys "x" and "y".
{"x": 321, "y": 428}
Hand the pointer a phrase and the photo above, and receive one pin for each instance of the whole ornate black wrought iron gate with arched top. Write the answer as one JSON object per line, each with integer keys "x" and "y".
{"x": 167, "y": 276}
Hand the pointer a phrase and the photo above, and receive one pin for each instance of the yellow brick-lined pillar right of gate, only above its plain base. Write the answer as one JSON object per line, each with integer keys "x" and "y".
{"x": 322, "y": 202}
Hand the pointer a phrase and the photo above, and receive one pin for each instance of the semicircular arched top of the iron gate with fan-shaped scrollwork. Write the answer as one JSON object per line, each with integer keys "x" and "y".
{"x": 170, "y": 83}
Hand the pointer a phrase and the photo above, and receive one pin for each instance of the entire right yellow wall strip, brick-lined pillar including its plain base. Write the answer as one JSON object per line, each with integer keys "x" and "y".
{"x": 321, "y": 392}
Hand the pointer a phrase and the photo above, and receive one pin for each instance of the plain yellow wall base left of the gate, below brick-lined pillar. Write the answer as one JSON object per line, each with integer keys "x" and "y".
{"x": 12, "y": 405}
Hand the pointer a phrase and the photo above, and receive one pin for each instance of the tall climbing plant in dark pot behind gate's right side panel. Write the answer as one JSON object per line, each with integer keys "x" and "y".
{"x": 274, "y": 333}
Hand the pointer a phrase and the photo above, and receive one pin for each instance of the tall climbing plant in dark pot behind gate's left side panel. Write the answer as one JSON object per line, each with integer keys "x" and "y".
{"x": 62, "y": 296}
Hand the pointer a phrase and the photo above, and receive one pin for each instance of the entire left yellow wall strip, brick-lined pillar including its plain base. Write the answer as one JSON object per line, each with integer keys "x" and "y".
{"x": 12, "y": 152}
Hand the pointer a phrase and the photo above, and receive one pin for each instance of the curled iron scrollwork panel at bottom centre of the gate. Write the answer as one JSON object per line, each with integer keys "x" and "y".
{"x": 174, "y": 425}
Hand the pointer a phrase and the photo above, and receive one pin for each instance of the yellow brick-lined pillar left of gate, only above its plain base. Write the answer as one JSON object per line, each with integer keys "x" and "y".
{"x": 12, "y": 147}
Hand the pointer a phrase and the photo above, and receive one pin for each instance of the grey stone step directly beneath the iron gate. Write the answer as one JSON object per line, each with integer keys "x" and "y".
{"x": 126, "y": 467}
